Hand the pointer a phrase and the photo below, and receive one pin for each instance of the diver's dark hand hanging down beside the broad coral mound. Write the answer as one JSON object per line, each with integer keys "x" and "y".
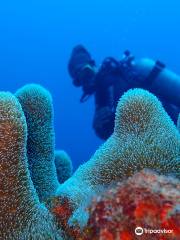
{"x": 103, "y": 122}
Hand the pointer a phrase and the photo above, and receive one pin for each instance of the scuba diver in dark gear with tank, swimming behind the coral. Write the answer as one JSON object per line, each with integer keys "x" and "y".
{"x": 114, "y": 77}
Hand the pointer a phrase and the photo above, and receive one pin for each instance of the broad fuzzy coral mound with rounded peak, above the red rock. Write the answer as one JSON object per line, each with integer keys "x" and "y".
{"x": 144, "y": 137}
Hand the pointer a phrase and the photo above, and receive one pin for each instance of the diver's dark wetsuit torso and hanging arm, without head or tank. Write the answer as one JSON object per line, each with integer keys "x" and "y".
{"x": 110, "y": 86}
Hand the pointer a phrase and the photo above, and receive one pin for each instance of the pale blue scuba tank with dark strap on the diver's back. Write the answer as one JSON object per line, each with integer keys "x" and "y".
{"x": 156, "y": 78}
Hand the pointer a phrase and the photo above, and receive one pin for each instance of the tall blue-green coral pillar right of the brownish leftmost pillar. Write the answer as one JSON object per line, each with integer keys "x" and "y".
{"x": 37, "y": 106}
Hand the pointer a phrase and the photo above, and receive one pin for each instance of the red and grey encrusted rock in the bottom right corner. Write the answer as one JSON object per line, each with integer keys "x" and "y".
{"x": 147, "y": 200}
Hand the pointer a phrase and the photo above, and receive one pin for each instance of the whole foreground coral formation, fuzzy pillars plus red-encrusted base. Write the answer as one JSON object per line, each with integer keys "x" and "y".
{"x": 130, "y": 184}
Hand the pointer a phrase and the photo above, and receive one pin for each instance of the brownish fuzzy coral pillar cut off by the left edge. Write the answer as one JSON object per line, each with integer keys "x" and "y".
{"x": 22, "y": 216}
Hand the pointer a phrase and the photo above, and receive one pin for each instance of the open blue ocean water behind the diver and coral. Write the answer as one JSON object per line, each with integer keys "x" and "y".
{"x": 36, "y": 39}
